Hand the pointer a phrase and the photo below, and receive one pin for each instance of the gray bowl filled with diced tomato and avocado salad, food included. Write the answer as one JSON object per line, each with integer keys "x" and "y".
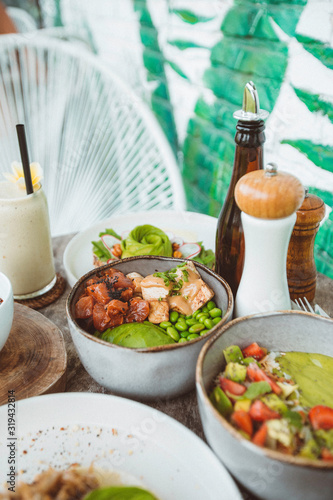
{"x": 287, "y": 461}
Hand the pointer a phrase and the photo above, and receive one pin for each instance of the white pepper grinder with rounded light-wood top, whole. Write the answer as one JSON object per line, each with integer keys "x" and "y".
{"x": 268, "y": 200}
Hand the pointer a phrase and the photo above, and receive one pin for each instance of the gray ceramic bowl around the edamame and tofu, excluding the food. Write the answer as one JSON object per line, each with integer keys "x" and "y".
{"x": 150, "y": 373}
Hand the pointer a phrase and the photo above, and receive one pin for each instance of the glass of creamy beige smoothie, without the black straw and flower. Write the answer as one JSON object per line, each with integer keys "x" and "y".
{"x": 26, "y": 255}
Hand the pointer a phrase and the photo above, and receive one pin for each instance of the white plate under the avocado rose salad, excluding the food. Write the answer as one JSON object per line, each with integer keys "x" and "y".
{"x": 190, "y": 226}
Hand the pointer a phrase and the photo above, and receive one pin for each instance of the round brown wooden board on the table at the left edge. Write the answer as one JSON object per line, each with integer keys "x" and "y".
{"x": 33, "y": 360}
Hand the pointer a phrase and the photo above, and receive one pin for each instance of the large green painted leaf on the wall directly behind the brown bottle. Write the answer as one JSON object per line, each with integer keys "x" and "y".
{"x": 249, "y": 50}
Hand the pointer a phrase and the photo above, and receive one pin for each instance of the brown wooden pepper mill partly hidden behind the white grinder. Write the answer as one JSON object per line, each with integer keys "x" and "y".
{"x": 301, "y": 267}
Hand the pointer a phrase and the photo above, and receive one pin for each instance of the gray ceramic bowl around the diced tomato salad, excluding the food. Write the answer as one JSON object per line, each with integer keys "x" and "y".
{"x": 268, "y": 474}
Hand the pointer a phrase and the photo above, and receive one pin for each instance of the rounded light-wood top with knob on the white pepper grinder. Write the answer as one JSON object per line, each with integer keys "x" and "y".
{"x": 269, "y": 194}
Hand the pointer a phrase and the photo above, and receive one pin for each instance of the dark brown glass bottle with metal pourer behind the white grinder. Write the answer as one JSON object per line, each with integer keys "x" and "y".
{"x": 249, "y": 141}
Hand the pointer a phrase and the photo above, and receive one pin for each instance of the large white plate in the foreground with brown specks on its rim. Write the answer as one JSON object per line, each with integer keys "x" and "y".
{"x": 114, "y": 433}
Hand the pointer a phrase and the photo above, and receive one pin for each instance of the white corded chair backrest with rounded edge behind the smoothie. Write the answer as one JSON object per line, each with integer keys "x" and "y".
{"x": 101, "y": 148}
